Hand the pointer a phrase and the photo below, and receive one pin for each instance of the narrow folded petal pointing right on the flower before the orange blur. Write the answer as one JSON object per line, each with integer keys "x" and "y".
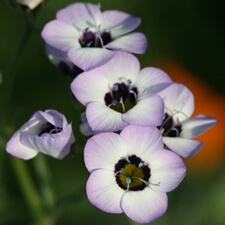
{"x": 197, "y": 125}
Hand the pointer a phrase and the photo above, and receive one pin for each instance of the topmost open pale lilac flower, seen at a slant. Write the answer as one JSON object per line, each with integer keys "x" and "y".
{"x": 88, "y": 35}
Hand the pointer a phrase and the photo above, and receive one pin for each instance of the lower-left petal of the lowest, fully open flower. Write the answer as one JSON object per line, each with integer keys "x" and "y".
{"x": 103, "y": 191}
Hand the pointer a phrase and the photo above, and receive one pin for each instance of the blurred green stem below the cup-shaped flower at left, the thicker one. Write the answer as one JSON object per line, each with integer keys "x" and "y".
{"x": 28, "y": 188}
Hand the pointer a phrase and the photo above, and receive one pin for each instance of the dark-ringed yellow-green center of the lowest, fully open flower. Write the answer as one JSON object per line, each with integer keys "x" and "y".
{"x": 132, "y": 173}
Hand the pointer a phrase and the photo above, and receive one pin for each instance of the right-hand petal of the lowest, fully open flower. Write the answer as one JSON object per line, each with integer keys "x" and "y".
{"x": 167, "y": 171}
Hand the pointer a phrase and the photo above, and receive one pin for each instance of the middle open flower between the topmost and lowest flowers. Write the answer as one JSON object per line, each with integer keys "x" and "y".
{"x": 118, "y": 93}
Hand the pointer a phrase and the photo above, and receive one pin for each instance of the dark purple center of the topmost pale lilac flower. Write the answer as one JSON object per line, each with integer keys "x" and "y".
{"x": 91, "y": 39}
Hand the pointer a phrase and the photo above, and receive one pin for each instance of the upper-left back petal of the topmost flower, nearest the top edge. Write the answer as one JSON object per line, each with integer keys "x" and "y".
{"x": 81, "y": 15}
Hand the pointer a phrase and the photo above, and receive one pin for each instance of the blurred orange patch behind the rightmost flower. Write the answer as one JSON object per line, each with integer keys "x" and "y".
{"x": 210, "y": 103}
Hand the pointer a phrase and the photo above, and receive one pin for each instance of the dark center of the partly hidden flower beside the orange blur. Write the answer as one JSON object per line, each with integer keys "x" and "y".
{"x": 169, "y": 128}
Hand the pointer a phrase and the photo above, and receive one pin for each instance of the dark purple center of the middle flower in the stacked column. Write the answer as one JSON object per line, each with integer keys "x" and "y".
{"x": 122, "y": 97}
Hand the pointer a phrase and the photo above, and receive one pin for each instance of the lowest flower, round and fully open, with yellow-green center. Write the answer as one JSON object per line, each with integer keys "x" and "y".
{"x": 131, "y": 172}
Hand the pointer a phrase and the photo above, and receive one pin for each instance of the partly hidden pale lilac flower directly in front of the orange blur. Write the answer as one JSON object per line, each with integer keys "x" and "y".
{"x": 177, "y": 129}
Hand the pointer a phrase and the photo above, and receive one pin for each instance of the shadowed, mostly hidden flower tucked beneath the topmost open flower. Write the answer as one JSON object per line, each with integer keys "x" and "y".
{"x": 61, "y": 61}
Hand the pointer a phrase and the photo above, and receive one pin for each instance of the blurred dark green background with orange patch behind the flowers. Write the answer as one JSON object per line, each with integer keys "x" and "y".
{"x": 186, "y": 39}
